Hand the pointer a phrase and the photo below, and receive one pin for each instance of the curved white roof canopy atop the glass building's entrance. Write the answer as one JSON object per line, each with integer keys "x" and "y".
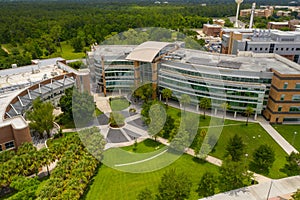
{"x": 147, "y": 51}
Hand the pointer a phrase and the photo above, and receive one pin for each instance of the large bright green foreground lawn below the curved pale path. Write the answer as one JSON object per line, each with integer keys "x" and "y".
{"x": 113, "y": 184}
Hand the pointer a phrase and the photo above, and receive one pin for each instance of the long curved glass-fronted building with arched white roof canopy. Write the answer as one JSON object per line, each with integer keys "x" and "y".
{"x": 241, "y": 81}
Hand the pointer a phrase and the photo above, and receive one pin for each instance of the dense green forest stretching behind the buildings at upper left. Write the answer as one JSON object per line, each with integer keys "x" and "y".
{"x": 36, "y": 29}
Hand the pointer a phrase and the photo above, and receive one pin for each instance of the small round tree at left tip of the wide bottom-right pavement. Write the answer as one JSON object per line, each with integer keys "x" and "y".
{"x": 207, "y": 185}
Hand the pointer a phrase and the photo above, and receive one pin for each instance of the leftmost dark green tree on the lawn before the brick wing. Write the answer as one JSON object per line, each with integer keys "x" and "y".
{"x": 235, "y": 148}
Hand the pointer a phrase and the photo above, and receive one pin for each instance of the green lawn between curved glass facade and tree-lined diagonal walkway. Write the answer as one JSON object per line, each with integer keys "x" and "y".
{"x": 253, "y": 136}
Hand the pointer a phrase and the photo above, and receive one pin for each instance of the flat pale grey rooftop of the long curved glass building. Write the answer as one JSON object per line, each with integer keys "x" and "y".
{"x": 245, "y": 61}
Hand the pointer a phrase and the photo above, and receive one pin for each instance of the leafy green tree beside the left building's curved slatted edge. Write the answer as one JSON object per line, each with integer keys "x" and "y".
{"x": 41, "y": 117}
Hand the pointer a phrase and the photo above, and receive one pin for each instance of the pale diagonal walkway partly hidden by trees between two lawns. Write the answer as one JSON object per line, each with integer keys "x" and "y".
{"x": 215, "y": 161}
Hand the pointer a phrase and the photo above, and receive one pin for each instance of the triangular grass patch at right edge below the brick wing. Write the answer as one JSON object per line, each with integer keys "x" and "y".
{"x": 288, "y": 132}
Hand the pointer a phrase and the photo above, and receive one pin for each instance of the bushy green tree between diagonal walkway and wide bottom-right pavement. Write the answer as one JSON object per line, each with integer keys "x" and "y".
{"x": 233, "y": 175}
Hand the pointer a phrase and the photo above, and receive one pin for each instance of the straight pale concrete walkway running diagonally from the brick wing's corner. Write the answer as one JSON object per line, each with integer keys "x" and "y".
{"x": 287, "y": 147}
